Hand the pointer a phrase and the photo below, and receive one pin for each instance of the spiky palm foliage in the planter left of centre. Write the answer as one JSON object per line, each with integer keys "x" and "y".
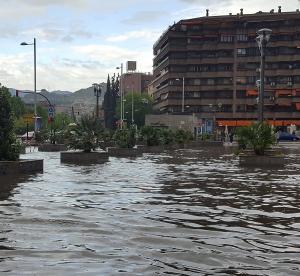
{"x": 85, "y": 135}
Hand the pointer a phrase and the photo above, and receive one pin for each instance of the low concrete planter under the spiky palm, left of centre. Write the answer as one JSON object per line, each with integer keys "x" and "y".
{"x": 79, "y": 157}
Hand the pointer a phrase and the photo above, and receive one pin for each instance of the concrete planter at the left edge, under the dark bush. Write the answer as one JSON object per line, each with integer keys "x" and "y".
{"x": 22, "y": 166}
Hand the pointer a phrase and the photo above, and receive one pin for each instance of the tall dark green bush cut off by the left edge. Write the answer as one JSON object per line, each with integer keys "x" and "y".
{"x": 9, "y": 147}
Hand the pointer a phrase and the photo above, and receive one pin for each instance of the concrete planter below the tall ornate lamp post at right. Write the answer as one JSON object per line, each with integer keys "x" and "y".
{"x": 251, "y": 160}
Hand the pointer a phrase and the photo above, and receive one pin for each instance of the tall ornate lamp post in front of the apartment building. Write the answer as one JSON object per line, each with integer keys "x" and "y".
{"x": 262, "y": 40}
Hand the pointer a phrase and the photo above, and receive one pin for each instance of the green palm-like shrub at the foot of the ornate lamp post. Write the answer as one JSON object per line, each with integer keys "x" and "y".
{"x": 259, "y": 137}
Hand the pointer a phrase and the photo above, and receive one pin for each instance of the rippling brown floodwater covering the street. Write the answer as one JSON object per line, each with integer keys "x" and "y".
{"x": 192, "y": 212}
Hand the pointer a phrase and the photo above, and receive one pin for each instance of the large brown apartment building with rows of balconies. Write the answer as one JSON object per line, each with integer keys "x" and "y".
{"x": 216, "y": 60}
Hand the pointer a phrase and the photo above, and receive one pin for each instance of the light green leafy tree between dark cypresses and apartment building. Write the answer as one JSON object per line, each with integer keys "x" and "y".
{"x": 142, "y": 105}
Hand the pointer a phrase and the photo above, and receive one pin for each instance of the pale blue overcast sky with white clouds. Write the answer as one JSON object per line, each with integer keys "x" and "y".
{"x": 80, "y": 41}
